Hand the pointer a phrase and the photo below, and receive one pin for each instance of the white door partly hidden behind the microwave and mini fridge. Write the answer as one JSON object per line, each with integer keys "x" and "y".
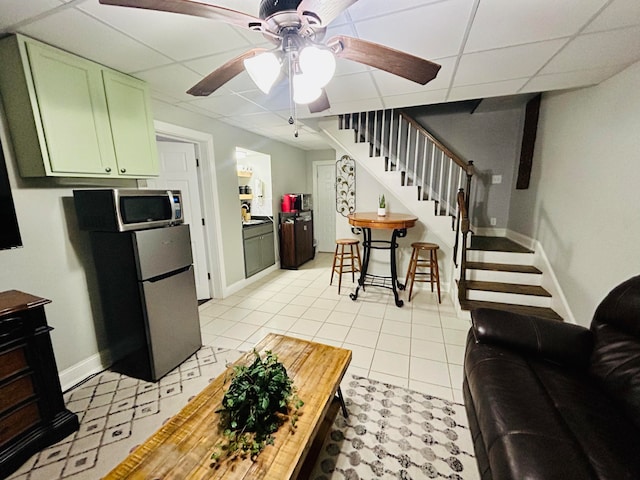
{"x": 178, "y": 171}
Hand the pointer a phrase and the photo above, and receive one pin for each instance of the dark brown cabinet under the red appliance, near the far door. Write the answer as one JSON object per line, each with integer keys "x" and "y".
{"x": 296, "y": 239}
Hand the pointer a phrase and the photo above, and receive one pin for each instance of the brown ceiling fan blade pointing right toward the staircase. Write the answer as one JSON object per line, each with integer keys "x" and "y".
{"x": 378, "y": 56}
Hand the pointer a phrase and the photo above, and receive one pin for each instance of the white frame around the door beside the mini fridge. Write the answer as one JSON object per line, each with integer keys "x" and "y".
{"x": 209, "y": 200}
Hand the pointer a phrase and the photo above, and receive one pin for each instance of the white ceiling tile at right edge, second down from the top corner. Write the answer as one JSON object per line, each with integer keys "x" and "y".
{"x": 602, "y": 49}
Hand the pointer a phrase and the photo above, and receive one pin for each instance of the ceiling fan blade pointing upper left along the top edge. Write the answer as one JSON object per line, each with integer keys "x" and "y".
{"x": 196, "y": 9}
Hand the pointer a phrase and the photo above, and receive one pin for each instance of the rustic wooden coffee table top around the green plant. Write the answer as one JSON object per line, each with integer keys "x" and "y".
{"x": 182, "y": 448}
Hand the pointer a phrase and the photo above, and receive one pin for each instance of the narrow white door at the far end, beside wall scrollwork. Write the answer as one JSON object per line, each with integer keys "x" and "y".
{"x": 324, "y": 207}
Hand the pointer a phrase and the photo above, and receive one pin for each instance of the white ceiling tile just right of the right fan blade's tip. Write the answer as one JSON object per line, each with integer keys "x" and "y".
{"x": 505, "y": 63}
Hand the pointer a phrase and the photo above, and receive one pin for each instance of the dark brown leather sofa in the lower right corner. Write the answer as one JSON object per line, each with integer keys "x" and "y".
{"x": 549, "y": 400}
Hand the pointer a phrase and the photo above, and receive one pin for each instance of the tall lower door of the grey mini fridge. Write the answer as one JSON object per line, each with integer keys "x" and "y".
{"x": 172, "y": 323}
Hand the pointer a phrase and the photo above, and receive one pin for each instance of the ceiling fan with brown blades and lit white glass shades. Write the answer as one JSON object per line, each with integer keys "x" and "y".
{"x": 297, "y": 28}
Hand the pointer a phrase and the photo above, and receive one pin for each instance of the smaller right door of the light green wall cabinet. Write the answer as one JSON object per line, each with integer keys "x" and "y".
{"x": 131, "y": 124}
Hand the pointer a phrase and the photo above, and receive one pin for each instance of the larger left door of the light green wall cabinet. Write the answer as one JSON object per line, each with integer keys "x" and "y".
{"x": 73, "y": 112}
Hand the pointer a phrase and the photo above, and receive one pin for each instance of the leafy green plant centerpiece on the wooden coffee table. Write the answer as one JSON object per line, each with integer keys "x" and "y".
{"x": 259, "y": 400}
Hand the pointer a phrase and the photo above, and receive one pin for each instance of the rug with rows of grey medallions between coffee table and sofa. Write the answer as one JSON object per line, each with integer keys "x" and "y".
{"x": 395, "y": 433}
